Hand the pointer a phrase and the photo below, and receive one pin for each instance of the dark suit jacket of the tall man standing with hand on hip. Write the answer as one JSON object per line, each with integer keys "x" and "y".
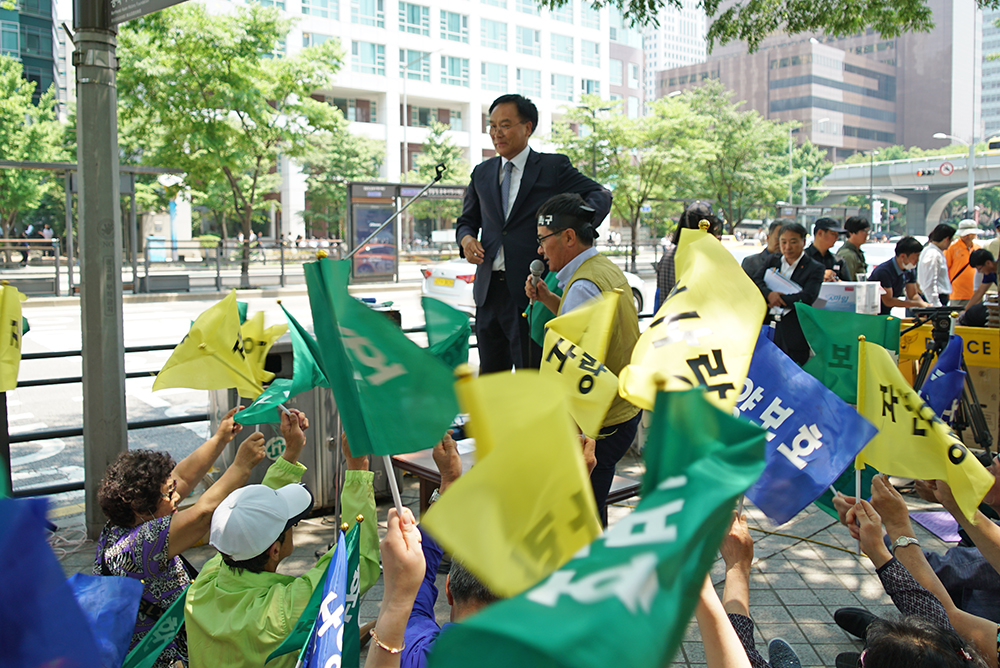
{"x": 545, "y": 175}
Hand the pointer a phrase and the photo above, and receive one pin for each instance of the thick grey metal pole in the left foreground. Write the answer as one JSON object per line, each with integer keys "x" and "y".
{"x": 104, "y": 419}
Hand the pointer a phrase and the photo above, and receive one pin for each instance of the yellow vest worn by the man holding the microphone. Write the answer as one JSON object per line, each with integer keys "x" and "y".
{"x": 603, "y": 273}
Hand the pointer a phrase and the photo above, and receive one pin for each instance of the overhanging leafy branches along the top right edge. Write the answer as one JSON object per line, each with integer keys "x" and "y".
{"x": 753, "y": 21}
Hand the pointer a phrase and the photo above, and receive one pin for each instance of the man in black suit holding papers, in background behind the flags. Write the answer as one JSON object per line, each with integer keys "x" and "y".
{"x": 798, "y": 267}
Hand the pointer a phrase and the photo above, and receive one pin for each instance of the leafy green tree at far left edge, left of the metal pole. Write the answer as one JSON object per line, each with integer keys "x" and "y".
{"x": 28, "y": 132}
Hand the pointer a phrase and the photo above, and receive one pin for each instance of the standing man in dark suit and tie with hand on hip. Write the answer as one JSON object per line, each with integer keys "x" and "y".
{"x": 498, "y": 228}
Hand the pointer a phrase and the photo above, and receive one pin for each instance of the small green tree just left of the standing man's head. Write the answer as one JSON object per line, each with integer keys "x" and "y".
{"x": 438, "y": 149}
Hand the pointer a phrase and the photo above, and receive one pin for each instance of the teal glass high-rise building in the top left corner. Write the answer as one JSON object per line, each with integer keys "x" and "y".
{"x": 27, "y": 33}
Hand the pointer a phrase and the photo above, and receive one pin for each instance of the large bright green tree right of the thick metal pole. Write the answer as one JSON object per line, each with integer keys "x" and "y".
{"x": 214, "y": 97}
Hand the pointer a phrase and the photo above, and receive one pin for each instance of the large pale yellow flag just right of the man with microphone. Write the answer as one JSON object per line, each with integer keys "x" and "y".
{"x": 705, "y": 331}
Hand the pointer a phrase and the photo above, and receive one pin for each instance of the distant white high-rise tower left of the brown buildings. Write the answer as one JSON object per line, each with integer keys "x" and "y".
{"x": 678, "y": 40}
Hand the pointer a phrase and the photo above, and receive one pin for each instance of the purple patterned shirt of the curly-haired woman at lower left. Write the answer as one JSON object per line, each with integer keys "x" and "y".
{"x": 142, "y": 553}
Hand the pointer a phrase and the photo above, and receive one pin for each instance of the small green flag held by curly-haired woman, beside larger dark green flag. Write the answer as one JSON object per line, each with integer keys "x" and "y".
{"x": 306, "y": 375}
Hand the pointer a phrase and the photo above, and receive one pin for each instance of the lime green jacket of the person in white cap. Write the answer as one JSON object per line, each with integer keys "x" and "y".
{"x": 237, "y": 619}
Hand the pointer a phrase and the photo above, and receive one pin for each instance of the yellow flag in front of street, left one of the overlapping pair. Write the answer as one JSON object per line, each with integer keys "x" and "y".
{"x": 211, "y": 356}
